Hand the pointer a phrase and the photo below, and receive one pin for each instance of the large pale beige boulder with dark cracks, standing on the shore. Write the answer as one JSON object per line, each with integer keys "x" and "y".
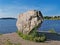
{"x": 28, "y": 20}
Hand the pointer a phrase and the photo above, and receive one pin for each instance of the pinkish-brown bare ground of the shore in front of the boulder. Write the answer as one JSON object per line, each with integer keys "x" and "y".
{"x": 14, "y": 38}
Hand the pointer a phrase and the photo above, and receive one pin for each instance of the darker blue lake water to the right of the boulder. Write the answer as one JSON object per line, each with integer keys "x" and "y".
{"x": 50, "y": 24}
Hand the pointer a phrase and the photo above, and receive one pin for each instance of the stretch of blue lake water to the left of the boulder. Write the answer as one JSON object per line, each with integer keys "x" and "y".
{"x": 7, "y": 25}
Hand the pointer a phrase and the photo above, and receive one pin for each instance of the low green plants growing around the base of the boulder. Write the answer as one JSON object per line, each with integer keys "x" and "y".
{"x": 33, "y": 37}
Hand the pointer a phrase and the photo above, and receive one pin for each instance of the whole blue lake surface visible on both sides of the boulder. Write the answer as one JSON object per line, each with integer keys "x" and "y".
{"x": 9, "y": 25}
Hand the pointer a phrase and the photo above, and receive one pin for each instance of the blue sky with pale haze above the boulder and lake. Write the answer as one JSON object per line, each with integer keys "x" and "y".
{"x": 12, "y": 8}
